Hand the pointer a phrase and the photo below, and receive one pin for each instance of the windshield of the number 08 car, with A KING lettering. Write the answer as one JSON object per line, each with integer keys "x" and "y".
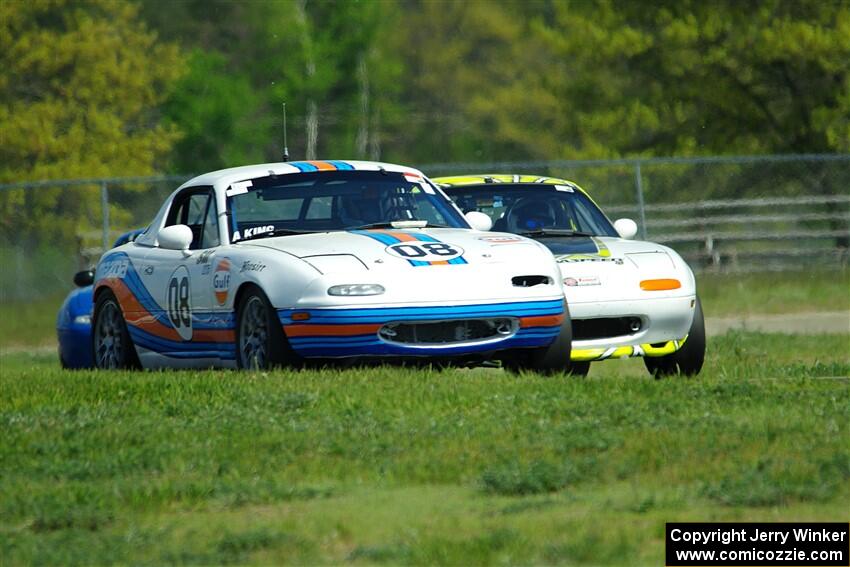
{"x": 335, "y": 200}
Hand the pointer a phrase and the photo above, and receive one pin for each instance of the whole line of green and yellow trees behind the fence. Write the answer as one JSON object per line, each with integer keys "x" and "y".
{"x": 105, "y": 88}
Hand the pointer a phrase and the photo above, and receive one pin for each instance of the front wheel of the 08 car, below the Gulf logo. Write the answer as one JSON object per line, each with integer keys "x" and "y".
{"x": 260, "y": 341}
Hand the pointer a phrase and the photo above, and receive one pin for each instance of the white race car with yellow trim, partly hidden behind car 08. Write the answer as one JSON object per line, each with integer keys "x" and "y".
{"x": 626, "y": 297}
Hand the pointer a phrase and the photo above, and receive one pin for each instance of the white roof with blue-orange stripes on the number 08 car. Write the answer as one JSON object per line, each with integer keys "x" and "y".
{"x": 224, "y": 177}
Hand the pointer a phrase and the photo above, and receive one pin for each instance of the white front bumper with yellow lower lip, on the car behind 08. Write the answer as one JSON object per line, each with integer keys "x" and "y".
{"x": 665, "y": 323}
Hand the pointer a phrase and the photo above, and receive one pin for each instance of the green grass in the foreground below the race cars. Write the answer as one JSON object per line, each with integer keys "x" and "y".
{"x": 399, "y": 466}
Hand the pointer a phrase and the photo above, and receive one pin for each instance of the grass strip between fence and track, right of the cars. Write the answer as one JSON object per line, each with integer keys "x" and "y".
{"x": 779, "y": 292}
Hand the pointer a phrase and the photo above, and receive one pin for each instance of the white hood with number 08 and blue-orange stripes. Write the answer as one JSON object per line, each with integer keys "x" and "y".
{"x": 402, "y": 249}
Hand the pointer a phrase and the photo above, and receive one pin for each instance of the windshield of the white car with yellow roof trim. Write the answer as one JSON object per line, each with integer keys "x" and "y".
{"x": 534, "y": 209}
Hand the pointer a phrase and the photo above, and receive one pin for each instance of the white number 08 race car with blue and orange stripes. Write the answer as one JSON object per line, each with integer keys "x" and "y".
{"x": 281, "y": 263}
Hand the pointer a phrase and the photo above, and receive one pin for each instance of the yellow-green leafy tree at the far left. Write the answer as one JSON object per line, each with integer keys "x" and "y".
{"x": 79, "y": 91}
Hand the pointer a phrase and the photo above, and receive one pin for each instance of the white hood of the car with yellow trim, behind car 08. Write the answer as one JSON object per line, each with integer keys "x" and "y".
{"x": 610, "y": 269}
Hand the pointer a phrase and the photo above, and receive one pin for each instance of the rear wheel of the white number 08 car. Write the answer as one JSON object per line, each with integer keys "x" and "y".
{"x": 112, "y": 347}
